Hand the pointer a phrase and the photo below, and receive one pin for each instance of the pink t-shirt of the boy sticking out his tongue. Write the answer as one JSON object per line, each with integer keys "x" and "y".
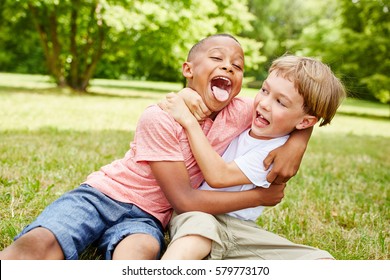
{"x": 159, "y": 137}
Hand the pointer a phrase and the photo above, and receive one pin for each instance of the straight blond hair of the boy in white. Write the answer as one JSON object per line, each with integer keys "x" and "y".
{"x": 321, "y": 90}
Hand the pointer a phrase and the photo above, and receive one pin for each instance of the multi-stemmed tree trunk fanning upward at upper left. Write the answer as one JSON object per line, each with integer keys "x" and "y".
{"x": 85, "y": 49}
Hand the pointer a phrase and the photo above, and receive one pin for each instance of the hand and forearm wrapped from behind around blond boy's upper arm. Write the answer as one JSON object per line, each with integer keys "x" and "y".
{"x": 287, "y": 158}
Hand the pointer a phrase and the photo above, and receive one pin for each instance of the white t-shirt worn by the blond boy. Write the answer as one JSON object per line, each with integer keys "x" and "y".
{"x": 249, "y": 153}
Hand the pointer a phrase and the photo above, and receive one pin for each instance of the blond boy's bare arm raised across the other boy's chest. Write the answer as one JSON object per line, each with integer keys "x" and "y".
{"x": 216, "y": 171}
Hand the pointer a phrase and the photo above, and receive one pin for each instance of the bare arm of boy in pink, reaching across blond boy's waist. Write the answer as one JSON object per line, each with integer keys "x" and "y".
{"x": 184, "y": 198}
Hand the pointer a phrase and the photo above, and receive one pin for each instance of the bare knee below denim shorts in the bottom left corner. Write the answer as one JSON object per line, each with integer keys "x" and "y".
{"x": 38, "y": 244}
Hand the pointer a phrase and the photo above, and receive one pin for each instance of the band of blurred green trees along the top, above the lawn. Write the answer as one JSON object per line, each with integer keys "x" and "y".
{"x": 74, "y": 41}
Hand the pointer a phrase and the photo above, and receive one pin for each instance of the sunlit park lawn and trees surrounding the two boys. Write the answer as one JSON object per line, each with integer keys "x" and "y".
{"x": 75, "y": 76}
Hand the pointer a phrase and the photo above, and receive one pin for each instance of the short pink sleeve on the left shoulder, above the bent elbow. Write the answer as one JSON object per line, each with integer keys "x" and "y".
{"x": 157, "y": 137}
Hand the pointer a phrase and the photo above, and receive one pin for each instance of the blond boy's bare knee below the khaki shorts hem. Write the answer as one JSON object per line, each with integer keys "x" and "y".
{"x": 189, "y": 247}
